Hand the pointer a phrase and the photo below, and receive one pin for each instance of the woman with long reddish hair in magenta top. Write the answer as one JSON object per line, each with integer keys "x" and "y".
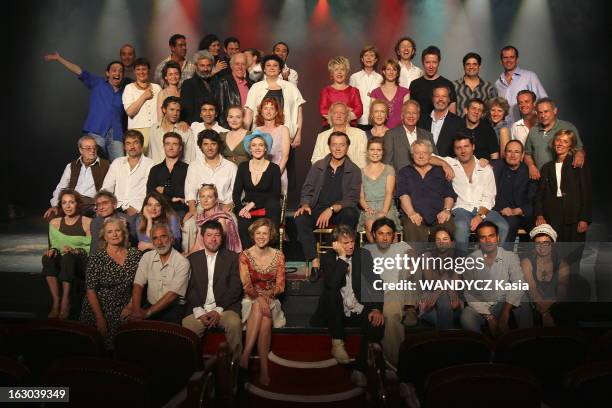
{"x": 391, "y": 92}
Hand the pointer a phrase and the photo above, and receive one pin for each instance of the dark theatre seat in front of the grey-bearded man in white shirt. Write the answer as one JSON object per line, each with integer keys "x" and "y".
{"x": 169, "y": 352}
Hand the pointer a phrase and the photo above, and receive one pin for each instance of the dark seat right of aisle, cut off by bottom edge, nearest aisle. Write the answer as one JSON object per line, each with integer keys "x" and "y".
{"x": 482, "y": 385}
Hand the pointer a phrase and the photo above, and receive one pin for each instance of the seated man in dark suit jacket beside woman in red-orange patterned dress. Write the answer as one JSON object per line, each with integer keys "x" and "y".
{"x": 214, "y": 293}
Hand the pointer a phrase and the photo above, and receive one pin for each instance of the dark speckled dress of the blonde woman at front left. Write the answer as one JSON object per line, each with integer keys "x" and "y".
{"x": 113, "y": 285}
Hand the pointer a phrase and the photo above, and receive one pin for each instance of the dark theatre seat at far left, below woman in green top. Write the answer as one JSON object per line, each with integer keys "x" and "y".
{"x": 39, "y": 343}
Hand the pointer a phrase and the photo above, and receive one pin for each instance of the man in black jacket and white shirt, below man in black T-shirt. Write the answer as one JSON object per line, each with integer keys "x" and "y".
{"x": 442, "y": 123}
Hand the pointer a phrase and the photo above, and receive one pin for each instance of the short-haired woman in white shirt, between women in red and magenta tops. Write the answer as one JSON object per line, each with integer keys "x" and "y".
{"x": 366, "y": 81}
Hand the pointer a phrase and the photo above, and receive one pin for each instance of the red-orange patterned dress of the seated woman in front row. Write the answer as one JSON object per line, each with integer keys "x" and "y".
{"x": 258, "y": 279}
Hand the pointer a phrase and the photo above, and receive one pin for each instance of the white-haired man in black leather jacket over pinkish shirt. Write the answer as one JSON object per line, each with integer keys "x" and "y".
{"x": 233, "y": 88}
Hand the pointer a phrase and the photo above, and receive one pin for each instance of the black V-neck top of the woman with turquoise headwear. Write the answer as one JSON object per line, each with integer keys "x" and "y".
{"x": 268, "y": 186}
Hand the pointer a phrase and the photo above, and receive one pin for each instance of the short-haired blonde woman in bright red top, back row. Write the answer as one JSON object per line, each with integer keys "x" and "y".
{"x": 340, "y": 91}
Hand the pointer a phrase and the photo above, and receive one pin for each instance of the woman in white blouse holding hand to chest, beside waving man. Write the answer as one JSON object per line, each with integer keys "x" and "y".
{"x": 140, "y": 101}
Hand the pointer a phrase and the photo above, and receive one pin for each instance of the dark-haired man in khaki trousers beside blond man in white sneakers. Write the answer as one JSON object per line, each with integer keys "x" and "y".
{"x": 398, "y": 305}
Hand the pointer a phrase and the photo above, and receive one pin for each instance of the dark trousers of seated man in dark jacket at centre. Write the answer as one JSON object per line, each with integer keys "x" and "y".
{"x": 305, "y": 225}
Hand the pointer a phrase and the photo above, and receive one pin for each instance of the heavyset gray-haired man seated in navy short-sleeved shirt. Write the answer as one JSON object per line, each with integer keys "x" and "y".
{"x": 426, "y": 196}
